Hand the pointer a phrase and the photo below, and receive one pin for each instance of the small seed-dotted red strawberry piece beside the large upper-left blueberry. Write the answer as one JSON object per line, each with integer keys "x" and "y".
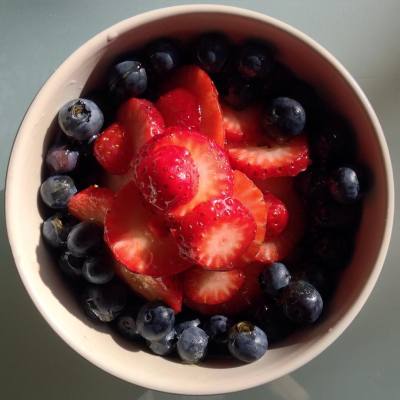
{"x": 113, "y": 151}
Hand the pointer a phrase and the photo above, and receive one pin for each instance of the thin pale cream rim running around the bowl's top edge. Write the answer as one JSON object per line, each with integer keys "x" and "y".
{"x": 323, "y": 342}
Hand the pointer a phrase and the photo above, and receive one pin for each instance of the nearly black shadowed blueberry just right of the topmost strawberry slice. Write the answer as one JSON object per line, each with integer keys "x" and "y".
{"x": 237, "y": 92}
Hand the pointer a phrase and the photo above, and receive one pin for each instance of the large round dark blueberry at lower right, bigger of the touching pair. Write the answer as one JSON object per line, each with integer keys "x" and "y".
{"x": 301, "y": 302}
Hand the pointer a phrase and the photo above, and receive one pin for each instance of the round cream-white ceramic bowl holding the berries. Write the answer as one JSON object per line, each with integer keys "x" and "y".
{"x": 81, "y": 71}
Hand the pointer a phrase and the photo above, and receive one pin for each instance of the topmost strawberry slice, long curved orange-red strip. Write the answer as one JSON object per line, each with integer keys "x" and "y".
{"x": 197, "y": 82}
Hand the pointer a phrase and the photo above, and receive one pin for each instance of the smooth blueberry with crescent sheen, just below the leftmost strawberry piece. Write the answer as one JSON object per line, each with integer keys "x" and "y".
{"x": 84, "y": 239}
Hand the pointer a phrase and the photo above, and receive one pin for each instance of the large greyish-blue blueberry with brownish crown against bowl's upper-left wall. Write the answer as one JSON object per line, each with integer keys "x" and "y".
{"x": 80, "y": 119}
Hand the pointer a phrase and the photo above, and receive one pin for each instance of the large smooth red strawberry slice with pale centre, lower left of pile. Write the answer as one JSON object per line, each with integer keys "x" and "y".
{"x": 129, "y": 233}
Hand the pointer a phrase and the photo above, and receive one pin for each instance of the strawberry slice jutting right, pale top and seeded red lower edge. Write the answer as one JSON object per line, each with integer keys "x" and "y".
{"x": 286, "y": 159}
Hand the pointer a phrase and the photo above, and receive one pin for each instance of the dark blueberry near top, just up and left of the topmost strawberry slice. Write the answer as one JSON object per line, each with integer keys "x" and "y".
{"x": 163, "y": 56}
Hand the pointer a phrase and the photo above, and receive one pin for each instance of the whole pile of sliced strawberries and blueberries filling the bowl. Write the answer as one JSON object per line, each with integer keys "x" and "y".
{"x": 210, "y": 181}
